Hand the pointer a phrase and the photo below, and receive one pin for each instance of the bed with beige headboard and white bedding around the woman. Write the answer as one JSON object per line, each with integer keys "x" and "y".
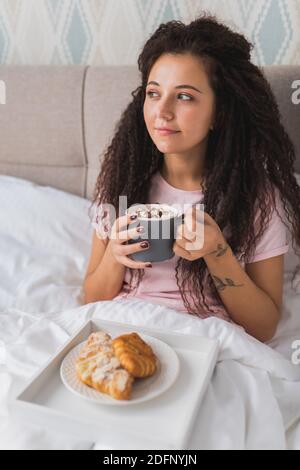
{"x": 53, "y": 128}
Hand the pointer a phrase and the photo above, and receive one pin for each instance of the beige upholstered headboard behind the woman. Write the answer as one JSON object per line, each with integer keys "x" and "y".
{"x": 58, "y": 120}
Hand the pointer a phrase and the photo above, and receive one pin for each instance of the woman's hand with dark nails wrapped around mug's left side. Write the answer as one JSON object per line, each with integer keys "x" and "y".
{"x": 120, "y": 249}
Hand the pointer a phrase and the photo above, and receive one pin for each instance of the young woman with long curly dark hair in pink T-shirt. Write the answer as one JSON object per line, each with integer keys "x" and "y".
{"x": 228, "y": 150}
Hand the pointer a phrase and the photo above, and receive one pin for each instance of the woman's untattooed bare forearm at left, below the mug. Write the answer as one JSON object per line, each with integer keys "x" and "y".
{"x": 106, "y": 281}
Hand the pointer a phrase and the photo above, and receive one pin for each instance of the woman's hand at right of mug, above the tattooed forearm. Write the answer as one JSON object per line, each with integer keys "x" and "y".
{"x": 198, "y": 236}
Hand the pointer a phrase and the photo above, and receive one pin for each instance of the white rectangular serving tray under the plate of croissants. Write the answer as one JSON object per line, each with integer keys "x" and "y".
{"x": 164, "y": 422}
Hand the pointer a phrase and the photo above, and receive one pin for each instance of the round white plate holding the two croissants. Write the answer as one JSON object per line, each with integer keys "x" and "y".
{"x": 142, "y": 390}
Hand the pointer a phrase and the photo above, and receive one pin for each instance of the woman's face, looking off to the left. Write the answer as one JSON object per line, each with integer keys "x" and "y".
{"x": 189, "y": 111}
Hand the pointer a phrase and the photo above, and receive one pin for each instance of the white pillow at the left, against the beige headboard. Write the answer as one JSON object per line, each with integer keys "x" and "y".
{"x": 45, "y": 239}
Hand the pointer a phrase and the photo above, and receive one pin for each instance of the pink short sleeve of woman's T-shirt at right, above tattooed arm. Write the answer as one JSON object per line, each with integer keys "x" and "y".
{"x": 274, "y": 241}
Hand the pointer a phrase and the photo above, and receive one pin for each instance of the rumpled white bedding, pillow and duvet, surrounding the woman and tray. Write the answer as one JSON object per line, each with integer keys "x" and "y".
{"x": 253, "y": 399}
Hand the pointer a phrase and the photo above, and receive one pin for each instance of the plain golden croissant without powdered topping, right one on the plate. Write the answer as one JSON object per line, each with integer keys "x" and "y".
{"x": 135, "y": 355}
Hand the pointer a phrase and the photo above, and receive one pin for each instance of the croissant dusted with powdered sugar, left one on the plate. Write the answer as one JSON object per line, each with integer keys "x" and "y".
{"x": 98, "y": 367}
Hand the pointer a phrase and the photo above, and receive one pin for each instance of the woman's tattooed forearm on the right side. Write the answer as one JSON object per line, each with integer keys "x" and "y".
{"x": 245, "y": 302}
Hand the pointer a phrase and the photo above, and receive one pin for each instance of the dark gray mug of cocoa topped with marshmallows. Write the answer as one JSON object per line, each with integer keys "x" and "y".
{"x": 159, "y": 233}
